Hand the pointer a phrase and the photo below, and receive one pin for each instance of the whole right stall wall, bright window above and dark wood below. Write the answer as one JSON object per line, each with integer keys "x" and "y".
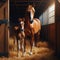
{"x": 48, "y": 32}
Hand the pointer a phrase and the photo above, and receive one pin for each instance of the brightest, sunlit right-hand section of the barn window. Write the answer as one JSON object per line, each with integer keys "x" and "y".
{"x": 51, "y": 14}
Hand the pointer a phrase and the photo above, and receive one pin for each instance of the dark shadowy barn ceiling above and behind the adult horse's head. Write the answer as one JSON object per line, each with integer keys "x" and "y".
{"x": 18, "y": 7}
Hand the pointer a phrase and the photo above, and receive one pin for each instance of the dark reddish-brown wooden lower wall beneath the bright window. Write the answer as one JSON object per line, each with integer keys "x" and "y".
{"x": 48, "y": 34}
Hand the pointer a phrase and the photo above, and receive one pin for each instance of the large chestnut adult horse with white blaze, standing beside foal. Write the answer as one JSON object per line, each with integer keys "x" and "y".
{"x": 32, "y": 25}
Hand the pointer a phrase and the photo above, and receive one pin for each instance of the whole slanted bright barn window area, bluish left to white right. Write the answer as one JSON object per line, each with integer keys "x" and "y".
{"x": 48, "y": 16}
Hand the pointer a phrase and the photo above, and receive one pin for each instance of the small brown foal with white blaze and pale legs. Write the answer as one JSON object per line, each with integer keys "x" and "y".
{"x": 20, "y": 36}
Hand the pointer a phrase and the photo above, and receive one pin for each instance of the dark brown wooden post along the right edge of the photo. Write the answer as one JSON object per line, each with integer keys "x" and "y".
{"x": 58, "y": 26}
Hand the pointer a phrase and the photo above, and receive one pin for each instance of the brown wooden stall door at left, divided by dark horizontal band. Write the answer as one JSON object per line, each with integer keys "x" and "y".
{"x": 4, "y": 30}
